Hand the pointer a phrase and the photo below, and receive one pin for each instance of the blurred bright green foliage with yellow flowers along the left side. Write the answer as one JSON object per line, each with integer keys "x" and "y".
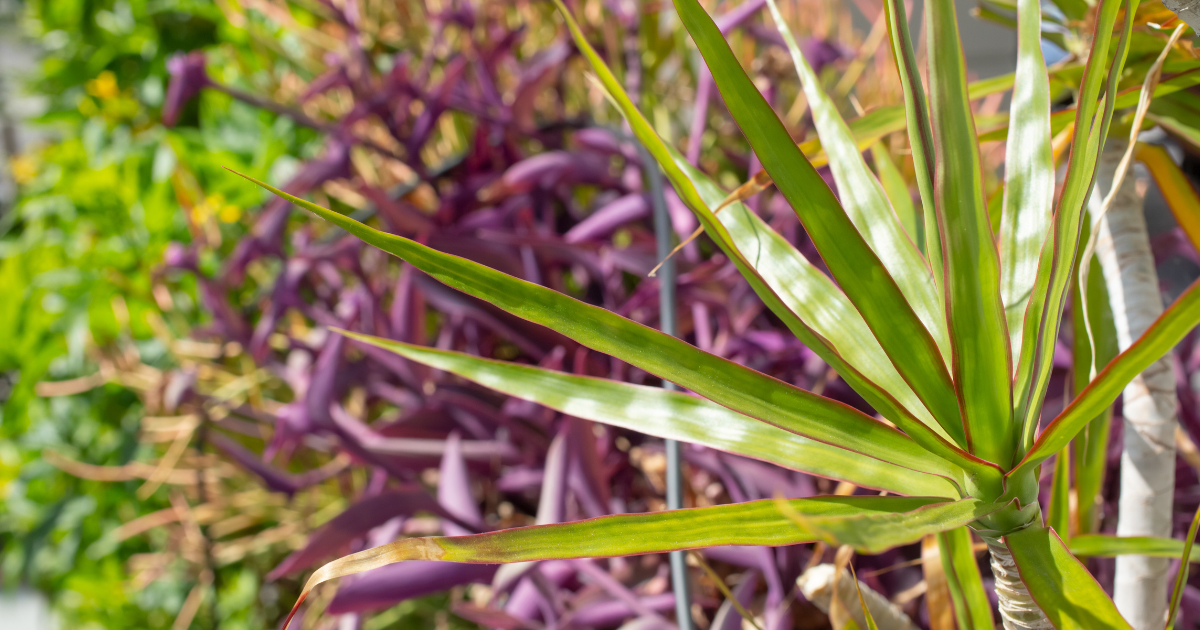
{"x": 97, "y": 211}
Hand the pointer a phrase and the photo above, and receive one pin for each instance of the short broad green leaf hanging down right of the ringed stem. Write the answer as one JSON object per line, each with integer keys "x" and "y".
{"x": 1065, "y": 591}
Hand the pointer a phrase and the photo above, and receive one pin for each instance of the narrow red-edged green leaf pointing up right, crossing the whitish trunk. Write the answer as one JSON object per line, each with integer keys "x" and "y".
{"x": 1169, "y": 329}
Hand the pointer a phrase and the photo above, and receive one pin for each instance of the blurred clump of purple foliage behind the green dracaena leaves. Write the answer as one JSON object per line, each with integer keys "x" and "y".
{"x": 538, "y": 194}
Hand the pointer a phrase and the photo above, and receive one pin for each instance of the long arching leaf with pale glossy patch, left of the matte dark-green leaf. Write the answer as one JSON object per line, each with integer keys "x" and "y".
{"x": 790, "y": 286}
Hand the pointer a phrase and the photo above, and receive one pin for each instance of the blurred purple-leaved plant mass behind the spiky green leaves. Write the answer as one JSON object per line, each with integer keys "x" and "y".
{"x": 493, "y": 206}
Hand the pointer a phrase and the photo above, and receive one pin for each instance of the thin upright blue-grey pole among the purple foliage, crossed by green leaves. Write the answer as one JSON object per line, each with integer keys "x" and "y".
{"x": 664, "y": 235}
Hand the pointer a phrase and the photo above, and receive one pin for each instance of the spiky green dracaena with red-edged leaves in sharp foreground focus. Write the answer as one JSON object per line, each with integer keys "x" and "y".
{"x": 953, "y": 350}
